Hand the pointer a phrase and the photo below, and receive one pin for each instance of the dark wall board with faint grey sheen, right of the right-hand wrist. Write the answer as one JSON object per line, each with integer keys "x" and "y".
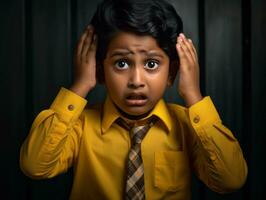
{"x": 223, "y": 59}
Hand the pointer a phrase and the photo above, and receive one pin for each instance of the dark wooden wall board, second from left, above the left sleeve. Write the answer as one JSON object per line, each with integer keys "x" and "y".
{"x": 51, "y": 52}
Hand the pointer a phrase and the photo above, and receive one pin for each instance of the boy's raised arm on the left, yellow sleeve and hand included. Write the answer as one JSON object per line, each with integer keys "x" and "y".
{"x": 53, "y": 142}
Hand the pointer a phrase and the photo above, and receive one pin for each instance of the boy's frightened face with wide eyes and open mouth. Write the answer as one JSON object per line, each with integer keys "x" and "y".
{"x": 136, "y": 73}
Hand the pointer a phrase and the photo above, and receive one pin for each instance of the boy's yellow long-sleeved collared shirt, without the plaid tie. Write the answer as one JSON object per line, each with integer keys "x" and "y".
{"x": 182, "y": 141}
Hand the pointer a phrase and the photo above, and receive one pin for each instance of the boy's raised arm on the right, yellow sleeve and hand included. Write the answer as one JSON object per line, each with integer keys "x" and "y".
{"x": 215, "y": 153}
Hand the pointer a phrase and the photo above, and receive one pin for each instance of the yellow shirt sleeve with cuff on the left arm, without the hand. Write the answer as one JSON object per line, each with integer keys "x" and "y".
{"x": 52, "y": 144}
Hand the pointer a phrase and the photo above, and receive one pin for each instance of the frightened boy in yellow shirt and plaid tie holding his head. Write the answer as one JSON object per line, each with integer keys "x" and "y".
{"x": 134, "y": 48}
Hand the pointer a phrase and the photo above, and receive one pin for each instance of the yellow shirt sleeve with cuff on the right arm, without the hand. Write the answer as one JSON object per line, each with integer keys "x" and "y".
{"x": 216, "y": 155}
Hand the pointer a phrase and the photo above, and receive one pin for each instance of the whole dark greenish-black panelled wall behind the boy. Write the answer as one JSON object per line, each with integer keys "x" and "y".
{"x": 37, "y": 39}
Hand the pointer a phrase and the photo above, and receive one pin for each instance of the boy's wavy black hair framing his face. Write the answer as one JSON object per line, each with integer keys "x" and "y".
{"x": 156, "y": 18}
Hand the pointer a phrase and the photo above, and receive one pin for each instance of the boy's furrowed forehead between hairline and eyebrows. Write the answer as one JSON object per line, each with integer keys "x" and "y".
{"x": 128, "y": 41}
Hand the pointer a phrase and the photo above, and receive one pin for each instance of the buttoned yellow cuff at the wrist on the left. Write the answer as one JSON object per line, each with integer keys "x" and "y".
{"x": 68, "y": 105}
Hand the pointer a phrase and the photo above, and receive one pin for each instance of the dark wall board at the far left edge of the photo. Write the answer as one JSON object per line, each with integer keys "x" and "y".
{"x": 12, "y": 101}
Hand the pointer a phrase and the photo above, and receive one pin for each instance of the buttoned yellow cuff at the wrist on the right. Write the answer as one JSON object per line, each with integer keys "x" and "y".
{"x": 203, "y": 113}
